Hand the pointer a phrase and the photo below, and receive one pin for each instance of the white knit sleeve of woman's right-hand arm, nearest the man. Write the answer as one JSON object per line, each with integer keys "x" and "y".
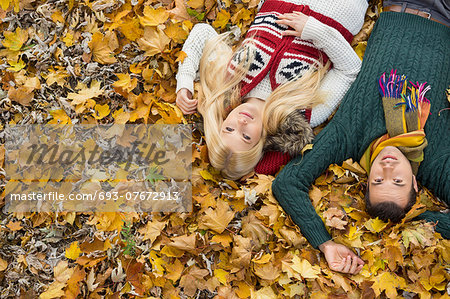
{"x": 346, "y": 66}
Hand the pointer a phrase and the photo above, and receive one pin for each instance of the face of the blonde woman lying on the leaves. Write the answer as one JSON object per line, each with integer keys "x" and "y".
{"x": 242, "y": 128}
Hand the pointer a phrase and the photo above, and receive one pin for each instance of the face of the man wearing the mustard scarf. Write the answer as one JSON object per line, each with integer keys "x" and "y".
{"x": 391, "y": 177}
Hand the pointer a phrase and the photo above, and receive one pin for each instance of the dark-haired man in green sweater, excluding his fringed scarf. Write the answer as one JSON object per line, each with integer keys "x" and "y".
{"x": 420, "y": 48}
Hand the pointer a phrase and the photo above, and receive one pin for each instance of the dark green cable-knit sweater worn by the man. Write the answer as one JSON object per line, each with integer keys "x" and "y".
{"x": 416, "y": 47}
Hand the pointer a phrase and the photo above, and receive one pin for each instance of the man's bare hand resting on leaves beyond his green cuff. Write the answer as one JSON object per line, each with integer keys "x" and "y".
{"x": 340, "y": 258}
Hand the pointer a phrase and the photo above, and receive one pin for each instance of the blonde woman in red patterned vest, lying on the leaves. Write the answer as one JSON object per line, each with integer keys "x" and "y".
{"x": 283, "y": 65}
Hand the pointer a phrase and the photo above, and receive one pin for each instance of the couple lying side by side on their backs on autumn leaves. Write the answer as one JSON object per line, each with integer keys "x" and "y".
{"x": 293, "y": 69}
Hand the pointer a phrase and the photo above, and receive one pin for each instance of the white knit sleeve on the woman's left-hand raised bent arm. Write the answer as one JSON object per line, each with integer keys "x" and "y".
{"x": 193, "y": 47}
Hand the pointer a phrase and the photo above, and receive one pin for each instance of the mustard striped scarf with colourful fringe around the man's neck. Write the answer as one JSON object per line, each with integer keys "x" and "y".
{"x": 405, "y": 117}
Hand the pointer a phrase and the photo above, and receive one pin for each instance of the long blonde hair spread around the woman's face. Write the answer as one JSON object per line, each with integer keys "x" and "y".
{"x": 222, "y": 90}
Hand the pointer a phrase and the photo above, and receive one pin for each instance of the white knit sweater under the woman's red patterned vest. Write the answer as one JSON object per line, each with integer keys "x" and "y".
{"x": 346, "y": 64}
